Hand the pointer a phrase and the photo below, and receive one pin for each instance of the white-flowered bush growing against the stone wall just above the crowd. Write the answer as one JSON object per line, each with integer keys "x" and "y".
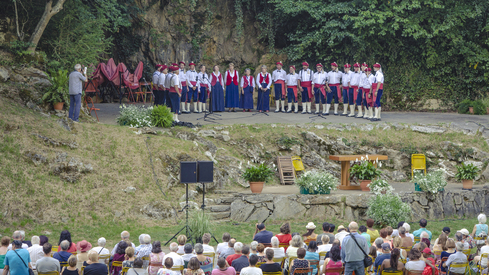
{"x": 388, "y": 209}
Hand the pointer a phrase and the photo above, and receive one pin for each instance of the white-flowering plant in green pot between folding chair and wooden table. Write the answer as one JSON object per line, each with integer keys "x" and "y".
{"x": 317, "y": 183}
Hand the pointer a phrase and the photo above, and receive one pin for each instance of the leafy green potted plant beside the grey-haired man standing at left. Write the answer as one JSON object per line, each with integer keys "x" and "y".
{"x": 57, "y": 94}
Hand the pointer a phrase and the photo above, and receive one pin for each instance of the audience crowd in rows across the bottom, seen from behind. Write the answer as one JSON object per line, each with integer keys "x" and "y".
{"x": 391, "y": 250}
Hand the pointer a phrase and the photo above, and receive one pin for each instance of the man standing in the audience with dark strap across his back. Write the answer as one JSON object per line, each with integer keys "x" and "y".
{"x": 351, "y": 253}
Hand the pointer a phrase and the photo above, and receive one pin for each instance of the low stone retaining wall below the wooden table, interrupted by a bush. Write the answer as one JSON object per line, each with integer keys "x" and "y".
{"x": 262, "y": 207}
